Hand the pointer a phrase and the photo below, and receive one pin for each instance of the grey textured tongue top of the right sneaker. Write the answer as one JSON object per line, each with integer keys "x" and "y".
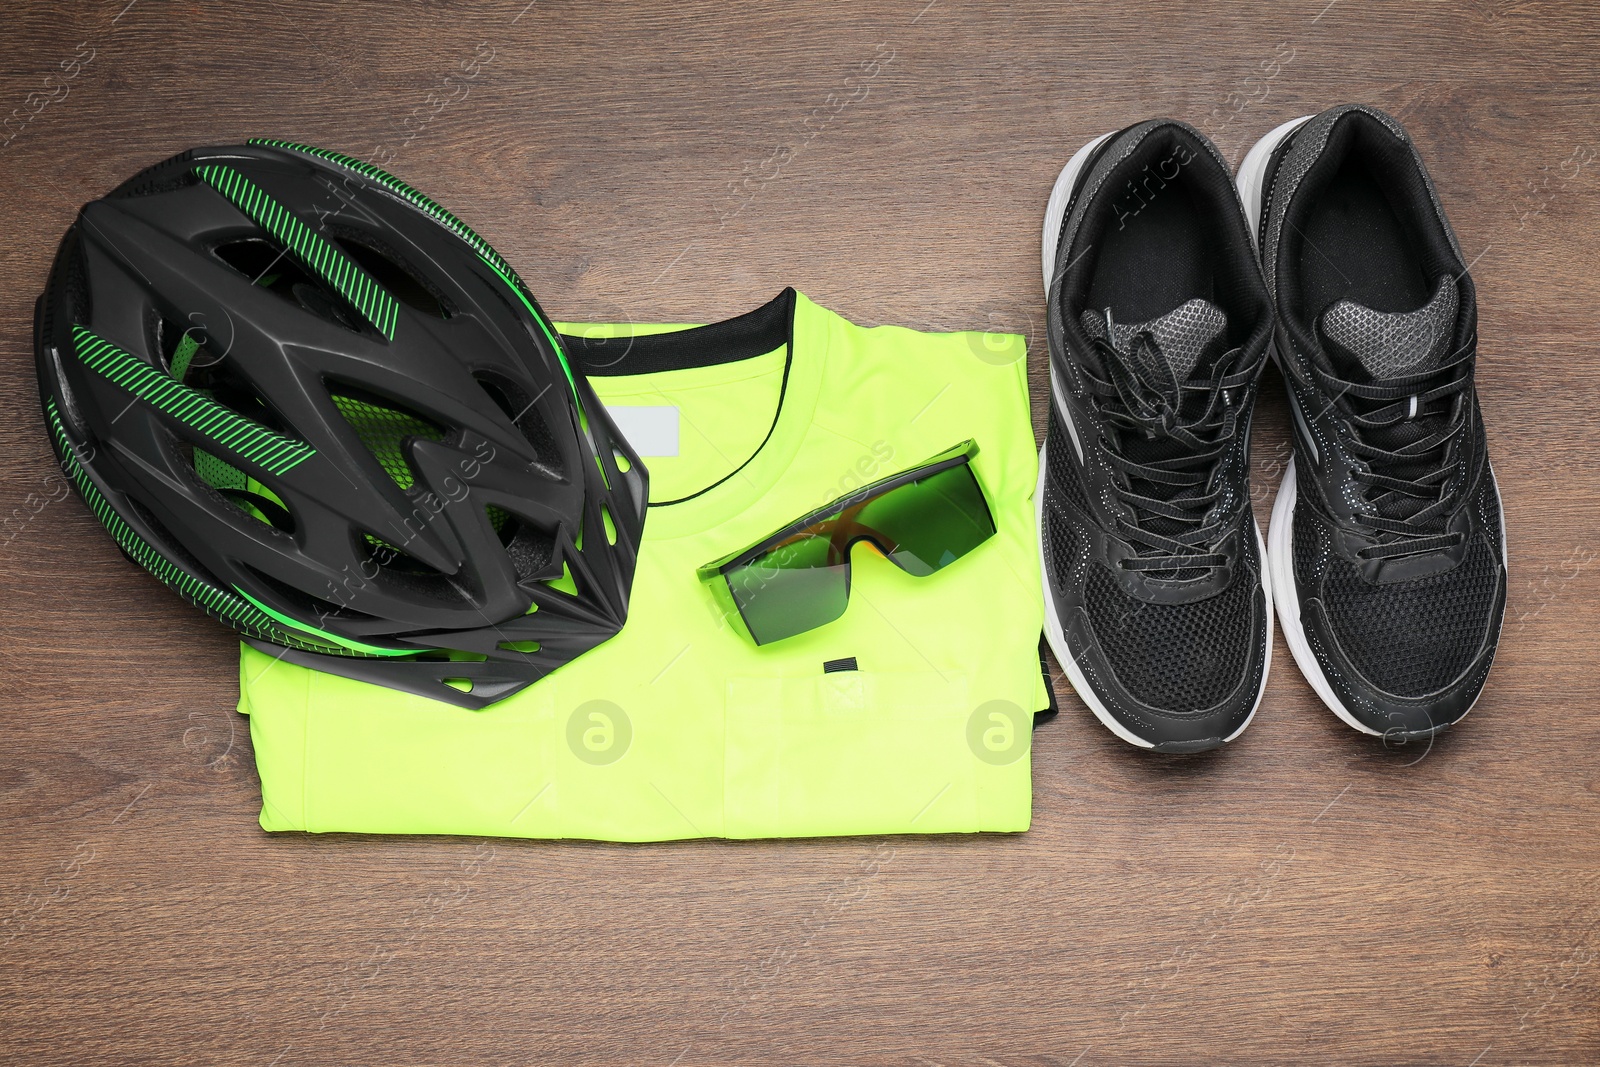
{"x": 1393, "y": 345}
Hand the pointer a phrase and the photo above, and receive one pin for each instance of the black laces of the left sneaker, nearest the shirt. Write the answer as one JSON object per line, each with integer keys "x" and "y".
{"x": 1148, "y": 399}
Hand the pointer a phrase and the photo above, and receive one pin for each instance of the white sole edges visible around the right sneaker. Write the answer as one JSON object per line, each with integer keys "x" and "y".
{"x": 1281, "y": 556}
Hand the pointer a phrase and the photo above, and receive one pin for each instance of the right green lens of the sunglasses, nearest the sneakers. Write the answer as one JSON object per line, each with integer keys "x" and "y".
{"x": 929, "y": 524}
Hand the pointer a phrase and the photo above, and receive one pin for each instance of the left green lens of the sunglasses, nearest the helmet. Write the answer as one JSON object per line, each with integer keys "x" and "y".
{"x": 793, "y": 588}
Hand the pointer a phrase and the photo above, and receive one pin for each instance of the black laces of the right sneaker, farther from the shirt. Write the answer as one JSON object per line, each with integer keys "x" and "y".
{"x": 1426, "y": 462}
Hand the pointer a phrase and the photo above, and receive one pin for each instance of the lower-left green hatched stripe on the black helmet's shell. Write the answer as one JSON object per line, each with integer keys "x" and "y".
{"x": 268, "y": 450}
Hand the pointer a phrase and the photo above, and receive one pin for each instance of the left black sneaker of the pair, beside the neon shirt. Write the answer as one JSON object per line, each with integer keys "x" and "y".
{"x": 1159, "y": 327}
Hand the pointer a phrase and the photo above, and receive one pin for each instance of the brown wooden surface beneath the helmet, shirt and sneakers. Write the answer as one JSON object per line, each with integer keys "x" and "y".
{"x": 1303, "y": 897}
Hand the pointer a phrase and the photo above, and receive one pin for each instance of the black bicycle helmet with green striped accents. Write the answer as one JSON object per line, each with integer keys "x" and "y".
{"x": 326, "y": 412}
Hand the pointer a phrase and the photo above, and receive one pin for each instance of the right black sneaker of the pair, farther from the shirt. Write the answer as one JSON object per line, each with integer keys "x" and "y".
{"x": 1388, "y": 545}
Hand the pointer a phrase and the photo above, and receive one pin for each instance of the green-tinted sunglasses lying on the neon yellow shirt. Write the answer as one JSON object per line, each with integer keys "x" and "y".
{"x": 799, "y": 578}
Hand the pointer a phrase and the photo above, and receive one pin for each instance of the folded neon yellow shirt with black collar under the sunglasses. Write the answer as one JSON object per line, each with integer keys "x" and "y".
{"x": 681, "y": 727}
